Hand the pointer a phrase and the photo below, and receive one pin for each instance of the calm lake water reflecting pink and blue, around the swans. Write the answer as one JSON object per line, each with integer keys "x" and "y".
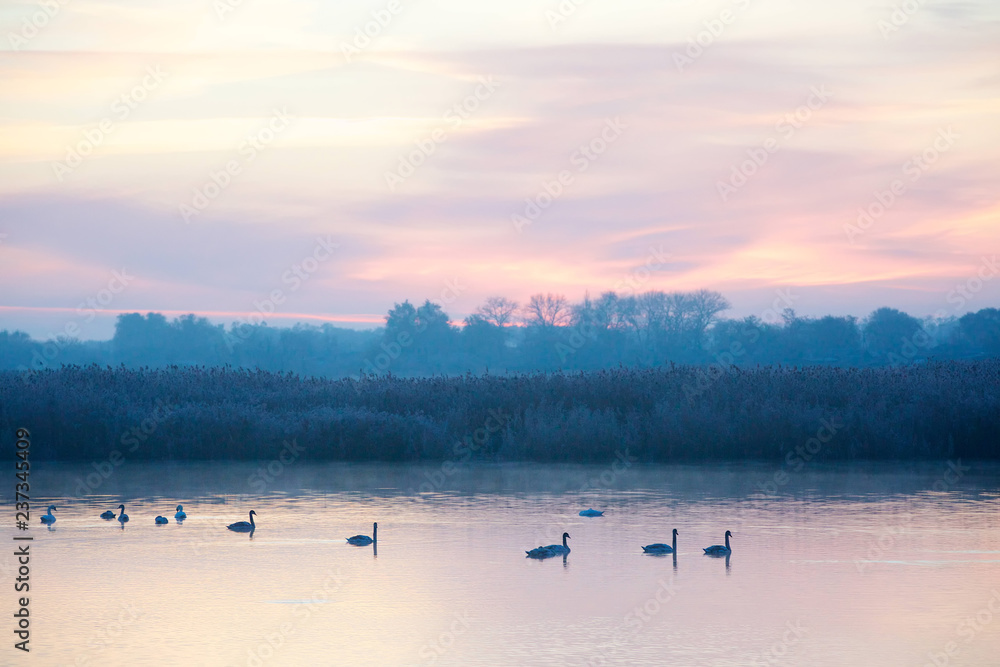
{"x": 842, "y": 566}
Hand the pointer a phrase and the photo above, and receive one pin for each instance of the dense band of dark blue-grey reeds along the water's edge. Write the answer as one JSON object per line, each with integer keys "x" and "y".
{"x": 927, "y": 411}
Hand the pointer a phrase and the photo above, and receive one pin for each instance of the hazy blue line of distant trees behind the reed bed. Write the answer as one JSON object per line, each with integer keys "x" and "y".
{"x": 547, "y": 333}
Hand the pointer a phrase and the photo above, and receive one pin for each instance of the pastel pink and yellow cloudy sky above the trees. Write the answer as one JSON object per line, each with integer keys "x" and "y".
{"x": 320, "y": 161}
